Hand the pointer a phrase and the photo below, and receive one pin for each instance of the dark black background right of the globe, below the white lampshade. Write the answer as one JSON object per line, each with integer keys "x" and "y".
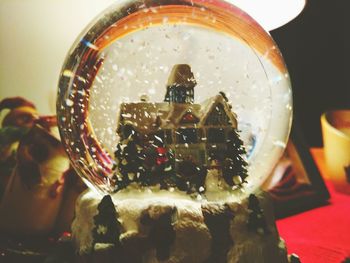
{"x": 316, "y": 49}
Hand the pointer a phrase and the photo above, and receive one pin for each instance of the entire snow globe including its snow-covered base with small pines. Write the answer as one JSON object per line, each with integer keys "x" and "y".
{"x": 173, "y": 112}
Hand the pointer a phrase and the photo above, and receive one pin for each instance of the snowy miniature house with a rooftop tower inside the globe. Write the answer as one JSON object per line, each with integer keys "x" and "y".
{"x": 192, "y": 131}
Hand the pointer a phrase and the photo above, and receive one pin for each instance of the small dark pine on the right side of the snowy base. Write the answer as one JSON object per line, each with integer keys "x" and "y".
{"x": 256, "y": 219}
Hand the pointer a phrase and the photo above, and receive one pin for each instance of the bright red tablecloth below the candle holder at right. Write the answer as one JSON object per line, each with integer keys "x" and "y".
{"x": 320, "y": 235}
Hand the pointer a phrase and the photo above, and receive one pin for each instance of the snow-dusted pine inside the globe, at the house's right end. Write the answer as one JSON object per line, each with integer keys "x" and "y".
{"x": 234, "y": 165}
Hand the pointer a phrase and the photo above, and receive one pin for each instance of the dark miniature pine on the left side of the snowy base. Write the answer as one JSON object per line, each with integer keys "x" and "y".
{"x": 107, "y": 227}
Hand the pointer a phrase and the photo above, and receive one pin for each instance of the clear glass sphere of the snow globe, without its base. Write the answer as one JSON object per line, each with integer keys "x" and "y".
{"x": 164, "y": 92}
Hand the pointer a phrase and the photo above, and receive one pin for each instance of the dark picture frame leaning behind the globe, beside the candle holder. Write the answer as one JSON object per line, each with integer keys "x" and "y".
{"x": 296, "y": 185}
